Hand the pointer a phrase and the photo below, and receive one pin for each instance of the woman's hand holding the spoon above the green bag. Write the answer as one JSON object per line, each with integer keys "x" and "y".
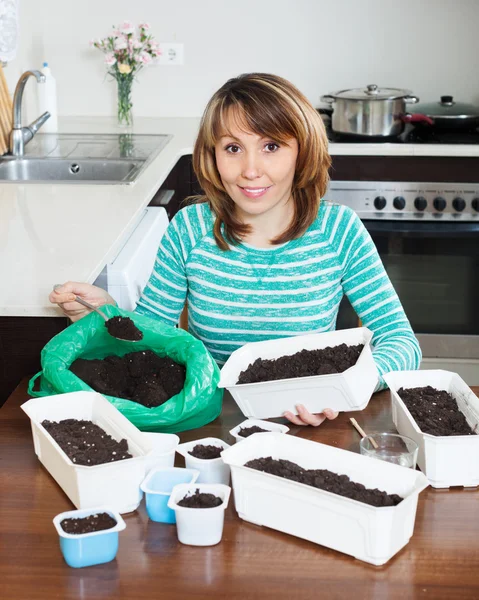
{"x": 64, "y": 296}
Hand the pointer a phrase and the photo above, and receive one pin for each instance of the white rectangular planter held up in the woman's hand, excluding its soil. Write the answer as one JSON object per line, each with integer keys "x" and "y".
{"x": 347, "y": 391}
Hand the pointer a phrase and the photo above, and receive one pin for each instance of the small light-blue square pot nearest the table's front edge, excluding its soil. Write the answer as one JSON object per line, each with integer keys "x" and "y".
{"x": 87, "y": 549}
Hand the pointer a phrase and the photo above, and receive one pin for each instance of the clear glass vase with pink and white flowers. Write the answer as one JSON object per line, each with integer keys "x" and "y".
{"x": 127, "y": 50}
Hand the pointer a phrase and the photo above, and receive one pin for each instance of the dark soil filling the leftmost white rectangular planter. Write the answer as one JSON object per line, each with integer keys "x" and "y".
{"x": 86, "y": 443}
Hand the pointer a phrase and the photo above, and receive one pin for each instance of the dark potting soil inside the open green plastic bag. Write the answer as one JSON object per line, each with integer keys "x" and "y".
{"x": 143, "y": 377}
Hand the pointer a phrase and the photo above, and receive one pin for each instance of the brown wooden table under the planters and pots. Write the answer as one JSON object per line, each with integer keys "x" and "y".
{"x": 441, "y": 560}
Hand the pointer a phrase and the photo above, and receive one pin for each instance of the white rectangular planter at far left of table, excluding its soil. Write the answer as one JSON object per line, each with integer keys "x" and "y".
{"x": 115, "y": 484}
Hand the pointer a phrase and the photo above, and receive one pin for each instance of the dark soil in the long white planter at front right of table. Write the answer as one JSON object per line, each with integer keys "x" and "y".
{"x": 324, "y": 480}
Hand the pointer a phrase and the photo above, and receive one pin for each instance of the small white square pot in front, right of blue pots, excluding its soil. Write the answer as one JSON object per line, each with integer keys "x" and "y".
{"x": 199, "y": 526}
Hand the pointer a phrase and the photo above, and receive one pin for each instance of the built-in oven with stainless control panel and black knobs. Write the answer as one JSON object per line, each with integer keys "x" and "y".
{"x": 423, "y": 215}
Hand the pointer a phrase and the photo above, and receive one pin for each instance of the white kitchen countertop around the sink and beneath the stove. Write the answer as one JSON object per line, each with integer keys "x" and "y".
{"x": 52, "y": 233}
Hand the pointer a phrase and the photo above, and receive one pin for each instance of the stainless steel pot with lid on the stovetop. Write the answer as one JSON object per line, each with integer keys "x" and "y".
{"x": 371, "y": 111}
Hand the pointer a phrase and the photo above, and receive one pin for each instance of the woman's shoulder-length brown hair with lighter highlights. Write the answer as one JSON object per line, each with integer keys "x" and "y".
{"x": 270, "y": 106}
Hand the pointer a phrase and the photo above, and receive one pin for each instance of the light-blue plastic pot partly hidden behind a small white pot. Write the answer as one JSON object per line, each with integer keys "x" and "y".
{"x": 158, "y": 486}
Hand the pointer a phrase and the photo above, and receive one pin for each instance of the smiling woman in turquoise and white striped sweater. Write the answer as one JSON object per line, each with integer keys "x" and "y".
{"x": 261, "y": 255}
